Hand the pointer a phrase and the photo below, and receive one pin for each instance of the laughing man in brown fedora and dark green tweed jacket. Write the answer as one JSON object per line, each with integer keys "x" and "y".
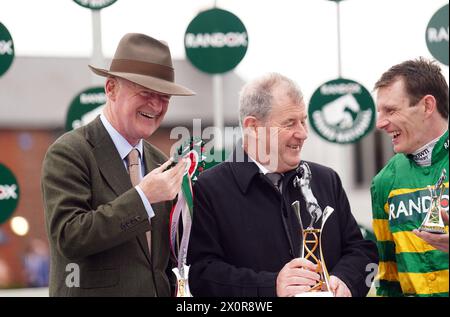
{"x": 106, "y": 191}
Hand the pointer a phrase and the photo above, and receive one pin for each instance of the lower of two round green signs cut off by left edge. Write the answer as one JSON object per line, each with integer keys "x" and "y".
{"x": 9, "y": 193}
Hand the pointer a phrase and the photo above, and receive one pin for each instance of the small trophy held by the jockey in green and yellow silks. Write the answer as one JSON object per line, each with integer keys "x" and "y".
{"x": 433, "y": 219}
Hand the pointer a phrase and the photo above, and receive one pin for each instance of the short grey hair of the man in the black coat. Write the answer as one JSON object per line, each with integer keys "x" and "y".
{"x": 256, "y": 97}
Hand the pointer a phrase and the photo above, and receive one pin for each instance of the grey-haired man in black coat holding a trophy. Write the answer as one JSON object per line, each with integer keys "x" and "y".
{"x": 245, "y": 238}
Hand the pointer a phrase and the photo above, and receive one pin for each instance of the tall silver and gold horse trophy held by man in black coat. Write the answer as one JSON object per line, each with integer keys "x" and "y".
{"x": 311, "y": 248}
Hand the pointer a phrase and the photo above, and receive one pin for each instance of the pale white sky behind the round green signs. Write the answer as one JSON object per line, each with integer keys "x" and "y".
{"x": 297, "y": 38}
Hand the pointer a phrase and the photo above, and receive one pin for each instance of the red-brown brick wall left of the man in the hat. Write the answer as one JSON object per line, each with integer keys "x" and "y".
{"x": 22, "y": 151}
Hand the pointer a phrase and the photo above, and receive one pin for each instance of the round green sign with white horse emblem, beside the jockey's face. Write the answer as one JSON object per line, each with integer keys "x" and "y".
{"x": 342, "y": 111}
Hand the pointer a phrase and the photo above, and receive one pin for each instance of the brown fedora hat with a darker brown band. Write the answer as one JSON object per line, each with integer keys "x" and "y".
{"x": 145, "y": 61}
